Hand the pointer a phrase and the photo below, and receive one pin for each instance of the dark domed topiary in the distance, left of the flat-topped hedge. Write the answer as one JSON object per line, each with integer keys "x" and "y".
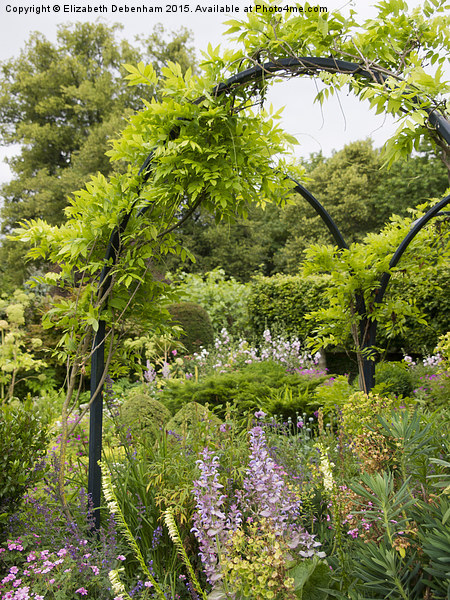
{"x": 196, "y": 325}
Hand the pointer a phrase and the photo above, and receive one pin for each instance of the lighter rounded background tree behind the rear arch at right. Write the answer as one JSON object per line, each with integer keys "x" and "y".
{"x": 359, "y": 195}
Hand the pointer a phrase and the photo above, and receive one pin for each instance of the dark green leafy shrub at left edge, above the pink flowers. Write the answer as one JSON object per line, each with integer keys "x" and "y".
{"x": 23, "y": 445}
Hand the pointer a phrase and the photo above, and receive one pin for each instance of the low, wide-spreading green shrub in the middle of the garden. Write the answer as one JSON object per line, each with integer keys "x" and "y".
{"x": 246, "y": 388}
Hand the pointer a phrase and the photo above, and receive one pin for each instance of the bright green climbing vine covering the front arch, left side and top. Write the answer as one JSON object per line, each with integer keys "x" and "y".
{"x": 210, "y": 144}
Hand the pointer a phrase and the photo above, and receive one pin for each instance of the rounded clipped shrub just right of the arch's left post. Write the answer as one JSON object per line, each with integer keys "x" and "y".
{"x": 144, "y": 415}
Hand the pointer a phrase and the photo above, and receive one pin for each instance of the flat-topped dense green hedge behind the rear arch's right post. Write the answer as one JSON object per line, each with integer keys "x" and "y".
{"x": 281, "y": 302}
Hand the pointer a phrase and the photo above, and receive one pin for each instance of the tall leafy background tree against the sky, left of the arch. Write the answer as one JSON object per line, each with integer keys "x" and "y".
{"x": 62, "y": 103}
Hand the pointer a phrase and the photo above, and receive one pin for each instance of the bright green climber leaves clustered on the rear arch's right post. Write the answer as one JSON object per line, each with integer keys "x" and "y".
{"x": 355, "y": 275}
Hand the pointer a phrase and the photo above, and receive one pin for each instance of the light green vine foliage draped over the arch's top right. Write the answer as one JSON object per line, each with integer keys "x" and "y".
{"x": 417, "y": 38}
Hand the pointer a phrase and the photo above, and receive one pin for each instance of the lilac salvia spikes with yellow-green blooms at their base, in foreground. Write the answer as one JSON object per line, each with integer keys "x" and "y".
{"x": 266, "y": 508}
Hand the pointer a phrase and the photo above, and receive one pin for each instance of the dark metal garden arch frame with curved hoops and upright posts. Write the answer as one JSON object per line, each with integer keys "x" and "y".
{"x": 296, "y": 67}
